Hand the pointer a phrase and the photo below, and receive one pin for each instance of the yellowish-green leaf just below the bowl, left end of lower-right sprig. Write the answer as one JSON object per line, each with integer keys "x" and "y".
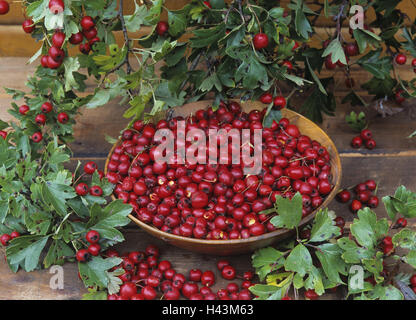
{"x": 267, "y": 260}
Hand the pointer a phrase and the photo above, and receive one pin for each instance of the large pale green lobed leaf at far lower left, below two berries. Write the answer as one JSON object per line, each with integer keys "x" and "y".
{"x": 26, "y": 250}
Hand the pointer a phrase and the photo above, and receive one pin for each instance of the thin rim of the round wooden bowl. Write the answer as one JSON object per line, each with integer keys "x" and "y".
{"x": 266, "y": 236}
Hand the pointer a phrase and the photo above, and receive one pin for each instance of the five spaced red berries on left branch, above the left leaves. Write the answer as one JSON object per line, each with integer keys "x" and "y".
{"x": 41, "y": 118}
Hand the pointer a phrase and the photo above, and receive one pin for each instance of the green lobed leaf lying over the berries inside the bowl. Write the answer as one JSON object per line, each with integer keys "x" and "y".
{"x": 289, "y": 212}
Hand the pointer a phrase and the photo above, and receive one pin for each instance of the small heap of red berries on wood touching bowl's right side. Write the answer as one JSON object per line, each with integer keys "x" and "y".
{"x": 363, "y": 196}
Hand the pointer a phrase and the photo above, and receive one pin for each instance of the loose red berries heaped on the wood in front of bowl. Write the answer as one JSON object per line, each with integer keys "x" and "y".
{"x": 146, "y": 278}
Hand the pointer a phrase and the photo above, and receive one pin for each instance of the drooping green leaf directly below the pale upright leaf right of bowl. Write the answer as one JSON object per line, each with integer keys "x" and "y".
{"x": 332, "y": 263}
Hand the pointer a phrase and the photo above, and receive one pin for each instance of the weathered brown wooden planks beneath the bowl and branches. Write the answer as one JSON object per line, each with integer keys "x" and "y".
{"x": 392, "y": 163}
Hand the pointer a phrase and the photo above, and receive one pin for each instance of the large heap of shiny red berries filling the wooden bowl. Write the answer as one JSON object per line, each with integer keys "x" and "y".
{"x": 210, "y": 201}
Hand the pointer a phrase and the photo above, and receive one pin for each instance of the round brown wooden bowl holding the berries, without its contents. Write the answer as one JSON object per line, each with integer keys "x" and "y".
{"x": 234, "y": 247}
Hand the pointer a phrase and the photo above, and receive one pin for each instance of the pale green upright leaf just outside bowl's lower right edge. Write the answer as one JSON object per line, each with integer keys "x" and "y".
{"x": 323, "y": 227}
